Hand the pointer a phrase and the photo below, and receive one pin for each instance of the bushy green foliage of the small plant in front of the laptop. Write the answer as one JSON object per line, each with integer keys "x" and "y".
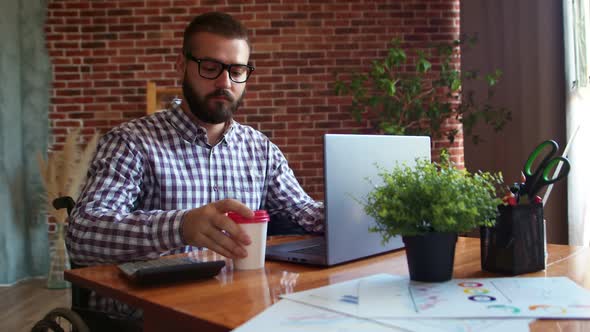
{"x": 432, "y": 197}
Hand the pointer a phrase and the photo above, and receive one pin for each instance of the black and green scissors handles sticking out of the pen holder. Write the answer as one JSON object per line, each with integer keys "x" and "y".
{"x": 540, "y": 177}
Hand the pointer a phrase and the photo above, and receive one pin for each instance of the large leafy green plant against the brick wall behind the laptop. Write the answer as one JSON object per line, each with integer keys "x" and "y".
{"x": 401, "y": 97}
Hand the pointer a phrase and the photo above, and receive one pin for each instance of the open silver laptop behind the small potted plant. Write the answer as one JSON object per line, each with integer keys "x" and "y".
{"x": 349, "y": 169}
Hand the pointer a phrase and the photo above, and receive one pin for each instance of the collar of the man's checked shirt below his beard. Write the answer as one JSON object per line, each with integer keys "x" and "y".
{"x": 192, "y": 132}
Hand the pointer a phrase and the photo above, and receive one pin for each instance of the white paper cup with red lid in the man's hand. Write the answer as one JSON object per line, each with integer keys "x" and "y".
{"x": 256, "y": 229}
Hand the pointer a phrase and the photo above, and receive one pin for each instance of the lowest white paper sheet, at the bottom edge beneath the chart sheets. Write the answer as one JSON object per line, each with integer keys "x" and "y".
{"x": 290, "y": 316}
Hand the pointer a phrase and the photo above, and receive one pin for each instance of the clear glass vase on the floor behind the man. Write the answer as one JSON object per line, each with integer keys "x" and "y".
{"x": 59, "y": 259}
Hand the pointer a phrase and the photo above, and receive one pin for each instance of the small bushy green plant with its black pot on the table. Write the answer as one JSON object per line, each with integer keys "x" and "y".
{"x": 428, "y": 205}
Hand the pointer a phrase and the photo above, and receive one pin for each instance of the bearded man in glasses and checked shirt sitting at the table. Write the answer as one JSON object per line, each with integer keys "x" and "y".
{"x": 163, "y": 183}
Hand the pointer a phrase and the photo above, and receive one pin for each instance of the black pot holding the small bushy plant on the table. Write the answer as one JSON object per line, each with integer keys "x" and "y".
{"x": 431, "y": 256}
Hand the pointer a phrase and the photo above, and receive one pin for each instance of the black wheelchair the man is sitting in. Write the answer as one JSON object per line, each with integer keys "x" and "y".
{"x": 79, "y": 318}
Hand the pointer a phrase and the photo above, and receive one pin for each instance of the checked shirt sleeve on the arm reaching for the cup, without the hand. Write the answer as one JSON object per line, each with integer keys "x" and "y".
{"x": 105, "y": 226}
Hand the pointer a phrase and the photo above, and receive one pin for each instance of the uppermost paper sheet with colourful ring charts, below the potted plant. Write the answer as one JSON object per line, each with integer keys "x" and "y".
{"x": 557, "y": 297}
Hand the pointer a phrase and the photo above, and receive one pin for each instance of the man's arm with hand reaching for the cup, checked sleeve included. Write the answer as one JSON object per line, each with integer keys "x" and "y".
{"x": 107, "y": 227}
